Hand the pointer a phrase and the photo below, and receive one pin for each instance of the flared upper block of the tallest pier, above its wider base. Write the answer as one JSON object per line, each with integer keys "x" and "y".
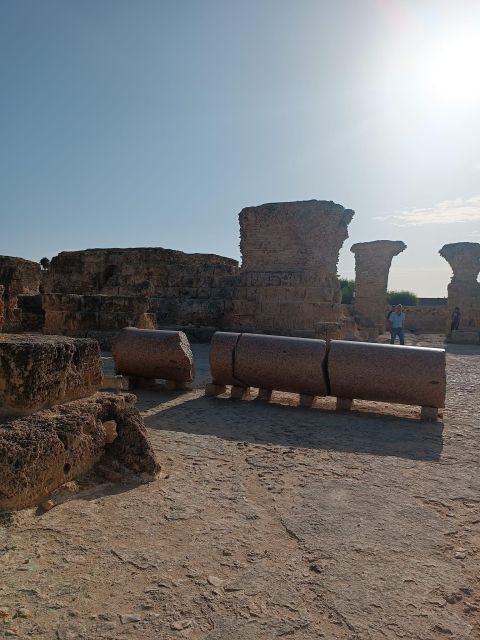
{"x": 302, "y": 235}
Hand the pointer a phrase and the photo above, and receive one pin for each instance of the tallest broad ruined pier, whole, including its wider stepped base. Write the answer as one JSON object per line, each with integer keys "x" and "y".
{"x": 288, "y": 280}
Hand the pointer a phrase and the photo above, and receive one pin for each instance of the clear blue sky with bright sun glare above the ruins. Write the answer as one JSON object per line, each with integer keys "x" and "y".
{"x": 154, "y": 122}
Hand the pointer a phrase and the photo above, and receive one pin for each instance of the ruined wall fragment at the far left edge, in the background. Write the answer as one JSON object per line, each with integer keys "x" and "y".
{"x": 17, "y": 277}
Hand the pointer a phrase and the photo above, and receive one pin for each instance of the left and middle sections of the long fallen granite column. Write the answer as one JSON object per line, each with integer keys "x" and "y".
{"x": 269, "y": 362}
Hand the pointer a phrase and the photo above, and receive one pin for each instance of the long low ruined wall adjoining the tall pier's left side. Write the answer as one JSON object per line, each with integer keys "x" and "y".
{"x": 106, "y": 289}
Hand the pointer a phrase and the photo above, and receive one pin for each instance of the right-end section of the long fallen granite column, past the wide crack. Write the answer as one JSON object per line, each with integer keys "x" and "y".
{"x": 387, "y": 373}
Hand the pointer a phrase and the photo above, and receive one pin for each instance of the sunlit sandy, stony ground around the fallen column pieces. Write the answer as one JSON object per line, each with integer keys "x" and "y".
{"x": 267, "y": 521}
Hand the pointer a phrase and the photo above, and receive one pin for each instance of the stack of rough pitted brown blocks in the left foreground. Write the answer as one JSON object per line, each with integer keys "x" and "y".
{"x": 55, "y": 426}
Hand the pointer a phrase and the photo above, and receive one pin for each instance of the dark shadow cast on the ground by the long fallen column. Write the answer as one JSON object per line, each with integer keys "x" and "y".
{"x": 256, "y": 422}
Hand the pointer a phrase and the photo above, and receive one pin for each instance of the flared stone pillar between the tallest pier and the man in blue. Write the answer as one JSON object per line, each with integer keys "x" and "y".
{"x": 372, "y": 265}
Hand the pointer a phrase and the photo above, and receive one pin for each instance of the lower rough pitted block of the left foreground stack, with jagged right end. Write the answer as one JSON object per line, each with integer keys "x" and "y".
{"x": 41, "y": 452}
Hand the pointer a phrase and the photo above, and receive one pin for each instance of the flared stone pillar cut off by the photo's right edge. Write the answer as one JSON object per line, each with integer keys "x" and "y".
{"x": 464, "y": 289}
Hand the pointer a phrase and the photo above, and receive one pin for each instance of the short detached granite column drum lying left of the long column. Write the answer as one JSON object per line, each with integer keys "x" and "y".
{"x": 144, "y": 353}
